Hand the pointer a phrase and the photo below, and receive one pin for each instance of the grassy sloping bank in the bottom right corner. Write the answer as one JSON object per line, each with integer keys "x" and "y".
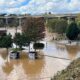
{"x": 72, "y": 72}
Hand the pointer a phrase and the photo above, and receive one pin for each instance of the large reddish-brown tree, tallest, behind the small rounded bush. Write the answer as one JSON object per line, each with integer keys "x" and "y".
{"x": 34, "y": 29}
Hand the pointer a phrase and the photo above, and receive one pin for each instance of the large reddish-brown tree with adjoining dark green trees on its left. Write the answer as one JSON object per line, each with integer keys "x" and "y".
{"x": 33, "y": 30}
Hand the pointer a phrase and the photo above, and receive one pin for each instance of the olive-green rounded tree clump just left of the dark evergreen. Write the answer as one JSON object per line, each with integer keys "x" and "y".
{"x": 58, "y": 26}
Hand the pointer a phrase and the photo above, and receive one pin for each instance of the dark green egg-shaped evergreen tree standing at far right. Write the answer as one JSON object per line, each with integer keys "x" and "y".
{"x": 72, "y": 31}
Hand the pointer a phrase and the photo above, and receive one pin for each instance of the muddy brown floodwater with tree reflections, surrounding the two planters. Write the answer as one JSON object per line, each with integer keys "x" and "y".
{"x": 39, "y": 69}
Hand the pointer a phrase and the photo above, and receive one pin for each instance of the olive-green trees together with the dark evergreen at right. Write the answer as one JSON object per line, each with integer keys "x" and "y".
{"x": 61, "y": 26}
